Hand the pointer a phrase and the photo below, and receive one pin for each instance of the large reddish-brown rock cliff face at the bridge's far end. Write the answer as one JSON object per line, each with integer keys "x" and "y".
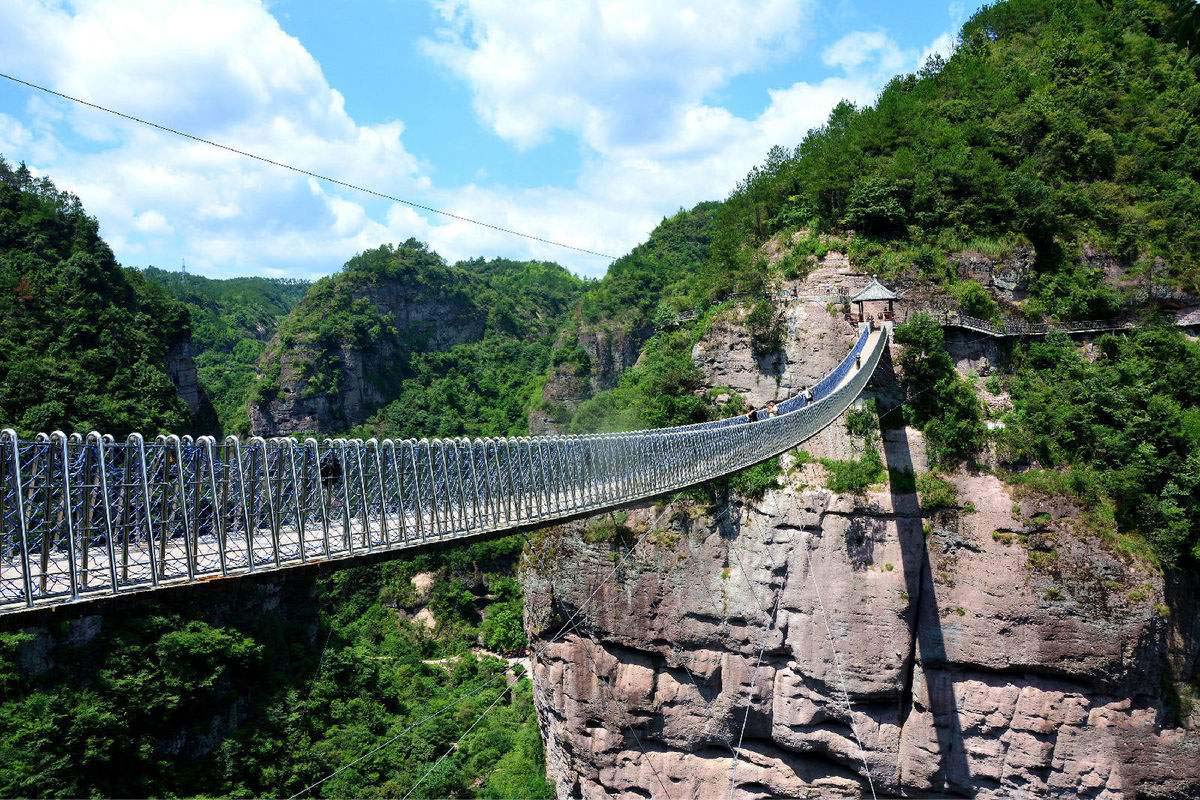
{"x": 812, "y": 645}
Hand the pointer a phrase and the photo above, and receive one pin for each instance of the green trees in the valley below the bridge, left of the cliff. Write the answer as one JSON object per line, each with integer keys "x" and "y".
{"x": 188, "y": 701}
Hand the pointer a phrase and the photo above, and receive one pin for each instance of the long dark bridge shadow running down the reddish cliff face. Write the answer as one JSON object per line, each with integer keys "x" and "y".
{"x": 927, "y": 643}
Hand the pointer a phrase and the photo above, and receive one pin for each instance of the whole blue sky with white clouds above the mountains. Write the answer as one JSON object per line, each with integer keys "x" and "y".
{"x": 578, "y": 122}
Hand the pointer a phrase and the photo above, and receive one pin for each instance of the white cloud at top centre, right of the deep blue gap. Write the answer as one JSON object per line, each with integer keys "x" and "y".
{"x": 622, "y": 74}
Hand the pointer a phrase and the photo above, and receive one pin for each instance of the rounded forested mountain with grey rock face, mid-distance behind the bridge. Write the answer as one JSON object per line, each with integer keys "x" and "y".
{"x": 458, "y": 344}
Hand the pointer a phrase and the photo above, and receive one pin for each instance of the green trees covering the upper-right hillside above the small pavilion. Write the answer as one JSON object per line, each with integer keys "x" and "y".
{"x": 1057, "y": 124}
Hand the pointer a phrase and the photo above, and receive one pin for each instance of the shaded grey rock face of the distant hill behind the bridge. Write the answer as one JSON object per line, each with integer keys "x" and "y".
{"x": 423, "y": 320}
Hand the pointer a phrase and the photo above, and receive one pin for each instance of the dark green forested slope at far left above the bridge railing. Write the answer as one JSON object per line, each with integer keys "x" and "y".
{"x": 85, "y": 345}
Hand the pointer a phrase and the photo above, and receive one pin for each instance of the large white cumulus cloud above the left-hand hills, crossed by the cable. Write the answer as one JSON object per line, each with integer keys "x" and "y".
{"x": 224, "y": 70}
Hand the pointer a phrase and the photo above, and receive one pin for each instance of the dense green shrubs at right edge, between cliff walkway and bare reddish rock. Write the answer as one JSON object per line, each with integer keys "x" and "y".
{"x": 1120, "y": 432}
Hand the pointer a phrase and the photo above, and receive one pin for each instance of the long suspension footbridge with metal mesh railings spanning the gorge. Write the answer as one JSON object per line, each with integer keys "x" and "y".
{"x": 88, "y": 518}
